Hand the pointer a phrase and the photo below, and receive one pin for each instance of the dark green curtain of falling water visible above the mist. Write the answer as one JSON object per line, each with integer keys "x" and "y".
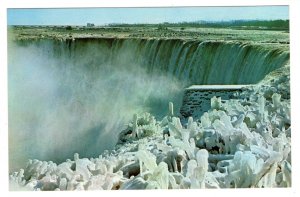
{"x": 197, "y": 62}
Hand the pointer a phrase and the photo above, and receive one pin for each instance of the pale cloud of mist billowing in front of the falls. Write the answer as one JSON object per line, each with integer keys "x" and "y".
{"x": 67, "y": 101}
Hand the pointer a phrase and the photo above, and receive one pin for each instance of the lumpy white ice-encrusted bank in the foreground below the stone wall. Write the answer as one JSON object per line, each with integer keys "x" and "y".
{"x": 240, "y": 143}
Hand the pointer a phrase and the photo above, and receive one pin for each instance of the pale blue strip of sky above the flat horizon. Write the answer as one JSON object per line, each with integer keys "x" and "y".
{"x": 102, "y": 16}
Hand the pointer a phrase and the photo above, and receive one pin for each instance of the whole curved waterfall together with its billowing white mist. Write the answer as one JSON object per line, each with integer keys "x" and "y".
{"x": 76, "y": 95}
